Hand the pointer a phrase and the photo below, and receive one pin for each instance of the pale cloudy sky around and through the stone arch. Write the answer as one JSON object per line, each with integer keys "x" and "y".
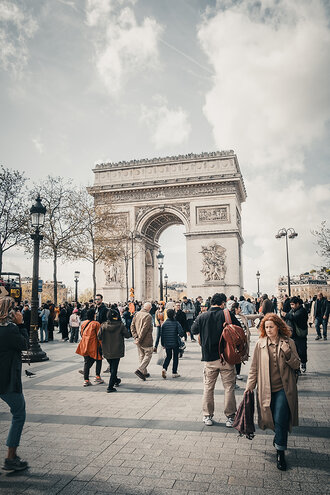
{"x": 83, "y": 82}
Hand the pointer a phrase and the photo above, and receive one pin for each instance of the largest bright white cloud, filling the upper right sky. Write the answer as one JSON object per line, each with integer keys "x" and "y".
{"x": 270, "y": 95}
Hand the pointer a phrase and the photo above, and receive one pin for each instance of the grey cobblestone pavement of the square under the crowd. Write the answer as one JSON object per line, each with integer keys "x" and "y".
{"x": 149, "y": 438}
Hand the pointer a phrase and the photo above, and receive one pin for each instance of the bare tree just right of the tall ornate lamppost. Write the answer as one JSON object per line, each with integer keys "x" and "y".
{"x": 62, "y": 224}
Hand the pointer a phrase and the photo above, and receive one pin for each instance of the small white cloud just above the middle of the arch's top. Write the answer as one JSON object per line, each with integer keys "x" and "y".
{"x": 169, "y": 127}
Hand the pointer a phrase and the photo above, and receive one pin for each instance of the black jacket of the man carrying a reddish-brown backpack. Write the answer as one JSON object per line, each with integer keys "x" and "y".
{"x": 210, "y": 325}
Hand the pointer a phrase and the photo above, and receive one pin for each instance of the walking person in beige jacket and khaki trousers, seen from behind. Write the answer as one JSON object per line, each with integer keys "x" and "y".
{"x": 141, "y": 329}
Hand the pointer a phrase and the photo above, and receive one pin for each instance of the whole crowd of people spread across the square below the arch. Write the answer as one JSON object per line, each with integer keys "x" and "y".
{"x": 100, "y": 330}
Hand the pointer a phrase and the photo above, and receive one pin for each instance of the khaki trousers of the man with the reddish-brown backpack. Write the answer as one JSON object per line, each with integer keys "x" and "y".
{"x": 211, "y": 373}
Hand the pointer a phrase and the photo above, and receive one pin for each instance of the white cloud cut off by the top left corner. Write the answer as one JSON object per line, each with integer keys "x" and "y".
{"x": 16, "y": 27}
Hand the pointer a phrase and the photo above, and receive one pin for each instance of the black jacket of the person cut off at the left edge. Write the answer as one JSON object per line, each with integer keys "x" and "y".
{"x": 13, "y": 340}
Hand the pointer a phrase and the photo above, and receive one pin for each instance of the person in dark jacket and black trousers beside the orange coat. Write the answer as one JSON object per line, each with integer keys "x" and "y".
{"x": 111, "y": 335}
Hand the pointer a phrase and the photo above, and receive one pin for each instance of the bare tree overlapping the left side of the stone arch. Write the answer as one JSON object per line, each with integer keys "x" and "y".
{"x": 101, "y": 233}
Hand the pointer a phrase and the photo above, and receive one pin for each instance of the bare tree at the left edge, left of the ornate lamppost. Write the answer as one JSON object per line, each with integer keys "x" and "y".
{"x": 14, "y": 214}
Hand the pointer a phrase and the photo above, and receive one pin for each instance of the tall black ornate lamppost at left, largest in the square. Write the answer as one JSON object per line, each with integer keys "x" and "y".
{"x": 35, "y": 353}
